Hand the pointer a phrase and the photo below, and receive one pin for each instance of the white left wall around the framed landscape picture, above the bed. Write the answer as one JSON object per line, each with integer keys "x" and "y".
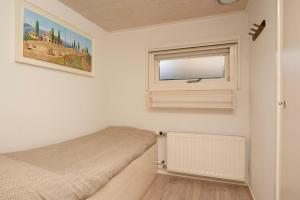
{"x": 39, "y": 106}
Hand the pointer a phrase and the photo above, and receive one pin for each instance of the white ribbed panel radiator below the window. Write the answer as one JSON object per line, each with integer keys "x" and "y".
{"x": 214, "y": 156}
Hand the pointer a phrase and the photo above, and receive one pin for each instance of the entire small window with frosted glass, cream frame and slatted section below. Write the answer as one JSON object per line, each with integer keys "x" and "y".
{"x": 202, "y": 71}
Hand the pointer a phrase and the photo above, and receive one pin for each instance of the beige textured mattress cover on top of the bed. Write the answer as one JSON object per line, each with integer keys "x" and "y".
{"x": 71, "y": 170}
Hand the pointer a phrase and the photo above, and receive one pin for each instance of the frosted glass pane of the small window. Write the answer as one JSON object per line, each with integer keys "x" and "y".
{"x": 210, "y": 67}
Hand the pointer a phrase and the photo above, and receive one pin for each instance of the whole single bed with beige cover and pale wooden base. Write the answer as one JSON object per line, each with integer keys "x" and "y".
{"x": 112, "y": 164}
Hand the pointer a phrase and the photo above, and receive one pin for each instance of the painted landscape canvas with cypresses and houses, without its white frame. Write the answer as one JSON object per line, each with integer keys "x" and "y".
{"x": 45, "y": 39}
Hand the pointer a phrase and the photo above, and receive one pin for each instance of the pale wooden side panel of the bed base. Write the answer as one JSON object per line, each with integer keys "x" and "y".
{"x": 133, "y": 182}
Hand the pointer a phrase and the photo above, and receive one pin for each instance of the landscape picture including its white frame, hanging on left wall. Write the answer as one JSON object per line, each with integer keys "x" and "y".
{"x": 46, "y": 41}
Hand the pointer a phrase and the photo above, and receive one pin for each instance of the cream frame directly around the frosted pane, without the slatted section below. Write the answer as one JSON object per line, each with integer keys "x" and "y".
{"x": 155, "y": 84}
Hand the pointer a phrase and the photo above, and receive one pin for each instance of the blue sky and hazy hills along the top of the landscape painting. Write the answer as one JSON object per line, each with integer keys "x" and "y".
{"x": 46, "y": 24}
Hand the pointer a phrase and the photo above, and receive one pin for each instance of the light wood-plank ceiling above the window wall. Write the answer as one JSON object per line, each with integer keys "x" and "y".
{"x": 113, "y": 15}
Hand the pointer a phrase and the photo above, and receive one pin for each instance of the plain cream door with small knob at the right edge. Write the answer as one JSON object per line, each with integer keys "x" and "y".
{"x": 291, "y": 76}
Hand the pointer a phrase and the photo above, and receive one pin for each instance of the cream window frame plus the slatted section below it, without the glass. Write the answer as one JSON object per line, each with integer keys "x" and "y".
{"x": 207, "y": 93}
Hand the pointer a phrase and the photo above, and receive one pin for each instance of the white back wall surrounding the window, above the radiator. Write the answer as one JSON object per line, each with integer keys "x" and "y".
{"x": 127, "y": 77}
